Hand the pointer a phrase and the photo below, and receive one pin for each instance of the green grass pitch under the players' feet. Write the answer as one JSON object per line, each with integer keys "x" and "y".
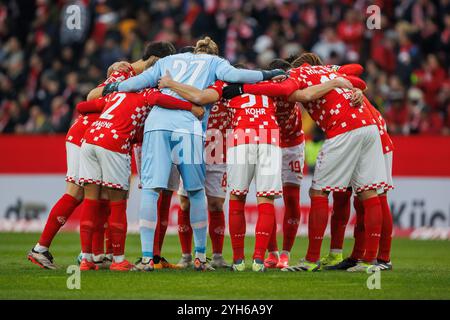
{"x": 421, "y": 271}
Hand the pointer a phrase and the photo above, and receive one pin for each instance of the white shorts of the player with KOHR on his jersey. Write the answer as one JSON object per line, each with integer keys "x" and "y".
{"x": 261, "y": 162}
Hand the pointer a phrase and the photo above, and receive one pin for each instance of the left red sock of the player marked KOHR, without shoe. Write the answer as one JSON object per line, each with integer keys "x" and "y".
{"x": 237, "y": 227}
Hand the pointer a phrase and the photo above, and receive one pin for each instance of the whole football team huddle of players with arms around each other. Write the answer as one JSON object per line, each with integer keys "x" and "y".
{"x": 203, "y": 128}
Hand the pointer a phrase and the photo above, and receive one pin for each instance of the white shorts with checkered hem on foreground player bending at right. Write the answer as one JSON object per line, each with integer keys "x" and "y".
{"x": 354, "y": 158}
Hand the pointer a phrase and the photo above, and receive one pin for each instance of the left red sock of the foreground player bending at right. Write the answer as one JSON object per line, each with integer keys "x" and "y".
{"x": 318, "y": 218}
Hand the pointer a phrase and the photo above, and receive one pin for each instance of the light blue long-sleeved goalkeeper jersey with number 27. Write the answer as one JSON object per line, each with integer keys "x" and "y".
{"x": 198, "y": 70}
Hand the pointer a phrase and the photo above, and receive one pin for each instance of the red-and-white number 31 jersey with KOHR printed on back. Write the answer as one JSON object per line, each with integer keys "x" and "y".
{"x": 253, "y": 118}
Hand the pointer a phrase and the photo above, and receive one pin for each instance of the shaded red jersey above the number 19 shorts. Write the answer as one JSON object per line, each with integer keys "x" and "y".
{"x": 289, "y": 118}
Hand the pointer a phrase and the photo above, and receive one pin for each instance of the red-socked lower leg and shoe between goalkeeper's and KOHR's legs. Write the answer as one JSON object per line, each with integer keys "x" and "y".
{"x": 216, "y": 230}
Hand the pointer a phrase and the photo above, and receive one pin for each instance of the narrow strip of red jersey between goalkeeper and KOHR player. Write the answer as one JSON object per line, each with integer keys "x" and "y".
{"x": 219, "y": 122}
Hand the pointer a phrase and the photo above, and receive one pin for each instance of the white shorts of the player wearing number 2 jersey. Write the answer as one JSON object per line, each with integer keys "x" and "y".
{"x": 104, "y": 167}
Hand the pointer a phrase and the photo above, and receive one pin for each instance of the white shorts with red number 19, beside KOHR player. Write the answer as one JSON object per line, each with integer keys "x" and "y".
{"x": 293, "y": 160}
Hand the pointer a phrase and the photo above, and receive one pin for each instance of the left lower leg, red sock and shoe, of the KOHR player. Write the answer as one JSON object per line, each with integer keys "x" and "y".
{"x": 237, "y": 228}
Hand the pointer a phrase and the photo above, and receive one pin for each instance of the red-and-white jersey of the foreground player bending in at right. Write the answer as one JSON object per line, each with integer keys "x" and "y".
{"x": 333, "y": 113}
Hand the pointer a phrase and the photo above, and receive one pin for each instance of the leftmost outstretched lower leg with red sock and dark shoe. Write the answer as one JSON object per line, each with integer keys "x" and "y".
{"x": 60, "y": 213}
